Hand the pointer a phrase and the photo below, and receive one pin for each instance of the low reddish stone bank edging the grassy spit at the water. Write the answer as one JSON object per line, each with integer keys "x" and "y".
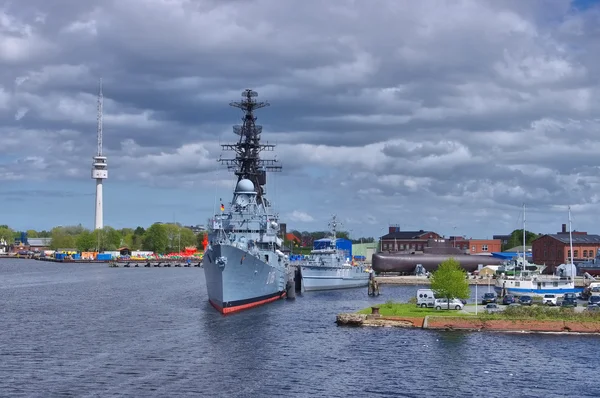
{"x": 470, "y": 324}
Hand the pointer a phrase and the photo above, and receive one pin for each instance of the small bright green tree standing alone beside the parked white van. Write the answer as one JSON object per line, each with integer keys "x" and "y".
{"x": 449, "y": 281}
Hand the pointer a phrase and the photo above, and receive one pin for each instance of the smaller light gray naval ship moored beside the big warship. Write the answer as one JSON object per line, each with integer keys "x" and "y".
{"x": 329, "y": 268}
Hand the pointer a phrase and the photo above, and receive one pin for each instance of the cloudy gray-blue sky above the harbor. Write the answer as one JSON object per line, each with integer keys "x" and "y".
{"x": 434, "y": 115}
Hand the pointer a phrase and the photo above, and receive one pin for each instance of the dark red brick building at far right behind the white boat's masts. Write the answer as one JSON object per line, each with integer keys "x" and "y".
{"x": 553, "y": 249}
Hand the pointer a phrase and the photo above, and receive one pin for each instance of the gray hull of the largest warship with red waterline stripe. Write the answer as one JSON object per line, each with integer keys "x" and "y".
{"x": 243, "y": 281}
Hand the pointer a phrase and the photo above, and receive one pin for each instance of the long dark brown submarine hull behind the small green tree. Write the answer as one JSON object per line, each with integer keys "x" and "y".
{"x": 408, "y": 262}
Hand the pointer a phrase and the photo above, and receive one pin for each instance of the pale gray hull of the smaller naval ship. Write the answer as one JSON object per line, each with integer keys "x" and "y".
{"x": 330, "y": 278}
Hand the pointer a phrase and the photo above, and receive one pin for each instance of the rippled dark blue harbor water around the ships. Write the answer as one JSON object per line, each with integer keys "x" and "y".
{"x": 90, "y": 330}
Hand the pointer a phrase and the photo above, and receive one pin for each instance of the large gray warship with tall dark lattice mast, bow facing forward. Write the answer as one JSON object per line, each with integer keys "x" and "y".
{"x": 243, "y": 263}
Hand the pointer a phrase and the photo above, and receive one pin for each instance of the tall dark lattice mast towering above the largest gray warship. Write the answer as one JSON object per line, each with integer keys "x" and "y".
{"x": 247, "y": 163}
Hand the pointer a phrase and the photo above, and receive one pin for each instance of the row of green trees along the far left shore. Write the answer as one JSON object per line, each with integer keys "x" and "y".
{"x": 159, "y": 238}
